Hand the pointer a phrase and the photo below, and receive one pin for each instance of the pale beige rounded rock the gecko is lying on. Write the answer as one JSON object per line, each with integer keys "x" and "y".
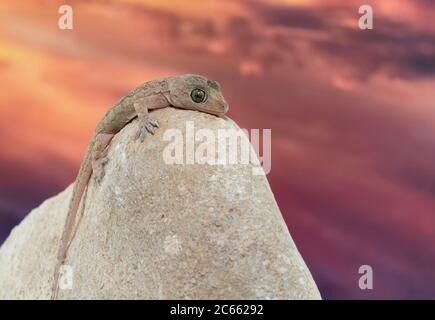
{"x": 152, "y": 230}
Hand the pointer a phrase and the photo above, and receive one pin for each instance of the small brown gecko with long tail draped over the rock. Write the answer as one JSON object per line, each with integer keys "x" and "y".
{"x": 188, "y": 91}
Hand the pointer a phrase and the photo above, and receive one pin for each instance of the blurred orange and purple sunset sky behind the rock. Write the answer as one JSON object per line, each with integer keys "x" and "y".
{"x": 351, "y": 111}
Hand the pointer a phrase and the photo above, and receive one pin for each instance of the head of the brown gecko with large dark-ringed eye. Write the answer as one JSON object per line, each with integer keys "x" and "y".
{"x": 197, "y": 93}
